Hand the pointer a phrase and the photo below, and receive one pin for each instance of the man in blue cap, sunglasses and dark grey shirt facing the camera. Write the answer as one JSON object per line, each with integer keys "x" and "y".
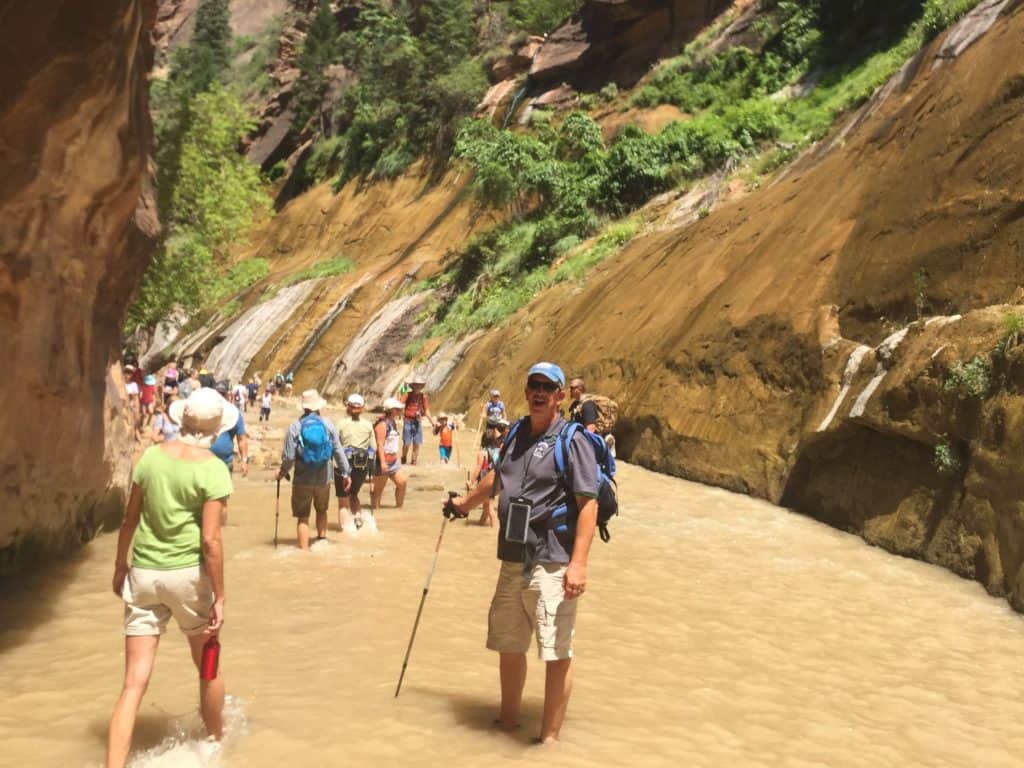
{"x": 544, "y": 540}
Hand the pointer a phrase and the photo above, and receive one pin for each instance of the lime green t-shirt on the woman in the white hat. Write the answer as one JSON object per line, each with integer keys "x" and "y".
{"x": 174, "y": 494}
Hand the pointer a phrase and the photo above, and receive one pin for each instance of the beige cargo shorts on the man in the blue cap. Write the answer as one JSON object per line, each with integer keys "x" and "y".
{"x": 523, "y": 607}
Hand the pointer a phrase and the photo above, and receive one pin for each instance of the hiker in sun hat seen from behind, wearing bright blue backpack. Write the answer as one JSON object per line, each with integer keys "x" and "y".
{"x": 313, "y": 447}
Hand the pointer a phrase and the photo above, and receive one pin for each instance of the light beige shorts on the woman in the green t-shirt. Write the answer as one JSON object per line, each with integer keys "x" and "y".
{"x": 152, "y": 598}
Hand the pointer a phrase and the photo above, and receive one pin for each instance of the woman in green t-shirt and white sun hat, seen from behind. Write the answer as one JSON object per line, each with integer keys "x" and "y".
{"x": 173, "y": 528}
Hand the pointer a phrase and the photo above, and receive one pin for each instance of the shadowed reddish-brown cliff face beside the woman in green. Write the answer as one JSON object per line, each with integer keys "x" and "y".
{"x": 77, "y": 230}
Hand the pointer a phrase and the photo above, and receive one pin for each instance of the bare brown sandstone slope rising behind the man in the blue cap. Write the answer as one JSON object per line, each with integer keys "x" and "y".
{"x": 727, "y": 342}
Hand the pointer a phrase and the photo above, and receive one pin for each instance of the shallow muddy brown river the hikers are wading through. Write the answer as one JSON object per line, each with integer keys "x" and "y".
{"x": 717, "y": 631}
